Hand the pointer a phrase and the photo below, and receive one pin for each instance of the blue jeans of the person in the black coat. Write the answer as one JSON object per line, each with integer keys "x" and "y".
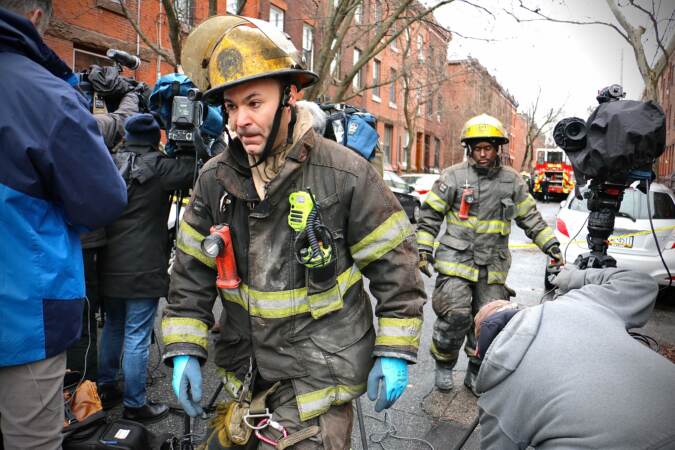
{"x": 128, "y": 326}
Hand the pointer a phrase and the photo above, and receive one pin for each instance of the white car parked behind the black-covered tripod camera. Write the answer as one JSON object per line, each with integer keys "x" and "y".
{"x": 632, "y": 244}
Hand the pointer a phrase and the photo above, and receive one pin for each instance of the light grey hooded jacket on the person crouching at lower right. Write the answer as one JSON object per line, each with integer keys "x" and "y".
{"x": 567, "y": 375}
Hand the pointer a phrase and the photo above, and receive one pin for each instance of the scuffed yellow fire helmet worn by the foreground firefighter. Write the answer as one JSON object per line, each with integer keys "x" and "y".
{"x": 225, "y": 51}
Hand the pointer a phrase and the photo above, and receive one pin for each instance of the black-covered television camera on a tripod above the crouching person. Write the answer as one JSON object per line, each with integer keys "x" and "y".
{"x": 612, "y": 150}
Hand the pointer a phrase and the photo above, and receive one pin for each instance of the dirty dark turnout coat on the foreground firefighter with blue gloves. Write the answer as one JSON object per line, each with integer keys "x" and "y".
{"x": 312, "y": 327}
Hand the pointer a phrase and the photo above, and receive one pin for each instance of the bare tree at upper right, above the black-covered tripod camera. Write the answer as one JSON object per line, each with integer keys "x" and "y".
{"x": 634, "y": 35}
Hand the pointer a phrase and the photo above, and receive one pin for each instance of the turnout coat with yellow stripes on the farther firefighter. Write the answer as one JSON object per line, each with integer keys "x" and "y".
{"x": 482, "y": 240}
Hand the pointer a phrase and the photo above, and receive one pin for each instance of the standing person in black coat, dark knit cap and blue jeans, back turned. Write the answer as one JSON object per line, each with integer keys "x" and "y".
{"x": 133, "y": 265}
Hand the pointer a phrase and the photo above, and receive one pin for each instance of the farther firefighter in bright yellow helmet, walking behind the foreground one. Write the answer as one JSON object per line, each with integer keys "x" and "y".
{"x": 478, "y": 199}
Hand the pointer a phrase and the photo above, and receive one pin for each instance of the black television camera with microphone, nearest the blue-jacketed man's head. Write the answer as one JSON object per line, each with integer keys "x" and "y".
{"x": 104, "y": 86}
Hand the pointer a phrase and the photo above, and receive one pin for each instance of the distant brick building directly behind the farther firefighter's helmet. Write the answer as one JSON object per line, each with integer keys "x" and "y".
{"x": 474, "y": 91}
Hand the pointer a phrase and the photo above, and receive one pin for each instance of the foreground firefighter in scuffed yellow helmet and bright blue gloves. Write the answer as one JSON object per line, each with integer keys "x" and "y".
{"x": 308, "y": 220}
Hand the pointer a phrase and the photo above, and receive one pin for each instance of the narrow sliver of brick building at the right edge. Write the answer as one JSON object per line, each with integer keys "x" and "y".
{"x": 666, "y": 95}
